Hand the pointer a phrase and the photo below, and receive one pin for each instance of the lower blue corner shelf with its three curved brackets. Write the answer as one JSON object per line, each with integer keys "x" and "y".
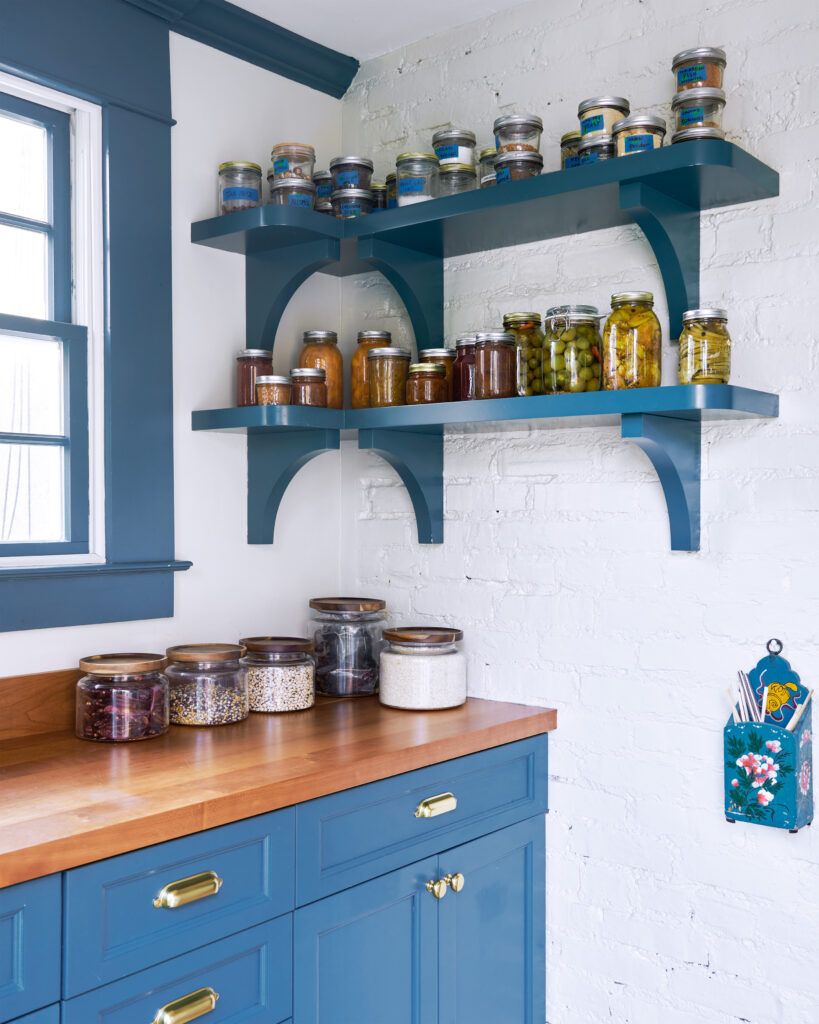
{"x": 665, "y": 422}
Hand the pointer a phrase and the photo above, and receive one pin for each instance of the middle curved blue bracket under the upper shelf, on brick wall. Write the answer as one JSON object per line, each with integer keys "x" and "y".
{"x": 418, "y": 278}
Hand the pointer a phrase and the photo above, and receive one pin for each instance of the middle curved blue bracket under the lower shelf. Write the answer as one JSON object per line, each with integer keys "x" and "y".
{"x": 417, "y": 456}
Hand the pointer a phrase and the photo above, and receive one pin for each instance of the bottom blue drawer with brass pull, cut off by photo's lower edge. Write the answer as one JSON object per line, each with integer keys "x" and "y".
{"x": 251, "y": 974}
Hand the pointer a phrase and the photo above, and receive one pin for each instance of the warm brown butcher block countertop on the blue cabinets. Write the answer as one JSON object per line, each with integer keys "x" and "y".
{"x": 66, "y": 802}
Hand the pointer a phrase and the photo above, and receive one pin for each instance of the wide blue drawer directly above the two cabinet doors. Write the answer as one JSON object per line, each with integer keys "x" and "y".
{"x": 350, "y": 837}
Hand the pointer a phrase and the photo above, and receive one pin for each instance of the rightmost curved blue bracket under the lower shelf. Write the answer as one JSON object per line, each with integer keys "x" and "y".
{"x": 673, "y": 445}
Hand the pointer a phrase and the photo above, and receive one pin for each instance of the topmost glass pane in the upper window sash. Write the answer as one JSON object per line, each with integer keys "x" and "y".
{"x": 24, "y": 169}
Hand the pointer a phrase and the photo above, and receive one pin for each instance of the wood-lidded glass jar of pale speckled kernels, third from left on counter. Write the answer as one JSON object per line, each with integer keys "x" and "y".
{"x": 280, "y": 673}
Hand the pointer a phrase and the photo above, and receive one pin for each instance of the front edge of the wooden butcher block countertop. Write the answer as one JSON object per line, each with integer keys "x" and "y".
{"x": 145, "y": 829}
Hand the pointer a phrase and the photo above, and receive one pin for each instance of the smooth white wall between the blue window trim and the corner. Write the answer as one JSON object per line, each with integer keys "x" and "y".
{"x": 226, "y": 110}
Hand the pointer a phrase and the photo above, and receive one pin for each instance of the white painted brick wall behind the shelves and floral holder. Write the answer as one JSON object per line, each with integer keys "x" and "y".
{"x": 556, "y": 561}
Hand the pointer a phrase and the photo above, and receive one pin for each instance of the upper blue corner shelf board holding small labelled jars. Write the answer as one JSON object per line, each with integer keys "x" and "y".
{"x": 699, "y": 176}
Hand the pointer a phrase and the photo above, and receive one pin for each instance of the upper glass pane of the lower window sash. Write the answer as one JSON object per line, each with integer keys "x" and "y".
{"x": 31, "y": 386}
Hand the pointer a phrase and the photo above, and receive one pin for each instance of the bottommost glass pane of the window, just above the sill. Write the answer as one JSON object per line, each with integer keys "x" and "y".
{"x": 31, "y": 493}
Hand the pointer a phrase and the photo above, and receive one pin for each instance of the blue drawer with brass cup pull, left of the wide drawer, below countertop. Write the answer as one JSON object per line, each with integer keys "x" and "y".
{"x": 113, "y": 927}
